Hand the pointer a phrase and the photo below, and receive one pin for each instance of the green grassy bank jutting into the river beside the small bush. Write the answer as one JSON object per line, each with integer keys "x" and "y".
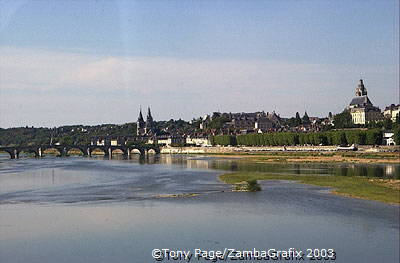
{"x": 384, "y": 190}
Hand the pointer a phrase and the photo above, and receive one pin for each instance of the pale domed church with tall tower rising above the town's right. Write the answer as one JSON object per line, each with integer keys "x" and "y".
{"x": 361, "y": 108}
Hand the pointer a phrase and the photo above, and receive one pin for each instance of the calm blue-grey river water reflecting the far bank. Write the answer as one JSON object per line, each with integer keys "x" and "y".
{"x": 78, "y": 209}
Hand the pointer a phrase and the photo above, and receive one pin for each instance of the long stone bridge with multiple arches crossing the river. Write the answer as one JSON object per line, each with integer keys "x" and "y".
{"x": 38, "y": 150}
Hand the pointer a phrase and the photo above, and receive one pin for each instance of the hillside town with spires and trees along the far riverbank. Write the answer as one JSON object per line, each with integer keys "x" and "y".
{"x": 360, "y": 115}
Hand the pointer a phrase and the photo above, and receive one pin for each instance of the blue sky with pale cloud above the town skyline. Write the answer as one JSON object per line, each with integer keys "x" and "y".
{"x": 93, "y": 62}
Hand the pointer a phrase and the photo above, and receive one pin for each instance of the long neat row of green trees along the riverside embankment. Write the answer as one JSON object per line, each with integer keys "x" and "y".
{"x": 361, "y": 137}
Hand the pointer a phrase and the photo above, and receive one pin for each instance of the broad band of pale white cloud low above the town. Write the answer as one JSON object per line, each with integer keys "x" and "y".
{"x": 110, "y": 88}
